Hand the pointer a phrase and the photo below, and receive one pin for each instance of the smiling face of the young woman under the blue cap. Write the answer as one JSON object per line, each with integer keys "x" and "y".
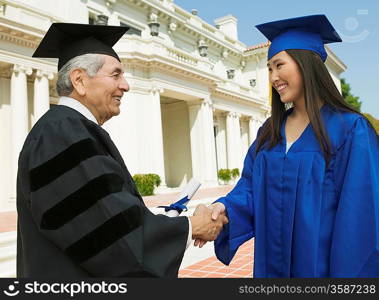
{"x": 285, "y": 77}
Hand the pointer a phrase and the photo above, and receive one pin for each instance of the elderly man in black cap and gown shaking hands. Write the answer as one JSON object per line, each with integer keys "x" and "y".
{"x": 80, "y": 214}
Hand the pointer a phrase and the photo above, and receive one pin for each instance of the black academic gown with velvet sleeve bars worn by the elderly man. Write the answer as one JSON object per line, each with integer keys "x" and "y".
{"x": 79, "y": 213}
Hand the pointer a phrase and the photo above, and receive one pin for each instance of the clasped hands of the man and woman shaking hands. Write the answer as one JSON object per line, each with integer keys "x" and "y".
{"x": 207, "y": 222}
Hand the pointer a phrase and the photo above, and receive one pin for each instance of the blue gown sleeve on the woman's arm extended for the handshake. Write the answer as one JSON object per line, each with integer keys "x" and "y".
{"x": 239, "y": 209}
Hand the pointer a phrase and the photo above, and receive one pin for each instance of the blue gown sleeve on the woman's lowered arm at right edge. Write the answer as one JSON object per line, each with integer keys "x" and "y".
{"x": 355, "y": 241}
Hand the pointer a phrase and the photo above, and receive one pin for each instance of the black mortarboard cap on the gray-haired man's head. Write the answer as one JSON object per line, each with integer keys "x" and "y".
{"x": 67, "y": 40}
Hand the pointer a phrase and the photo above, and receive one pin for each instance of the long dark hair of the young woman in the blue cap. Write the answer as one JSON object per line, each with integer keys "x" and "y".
{"x": 318, "y": 85}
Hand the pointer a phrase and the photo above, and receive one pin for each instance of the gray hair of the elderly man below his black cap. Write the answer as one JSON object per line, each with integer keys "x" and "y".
{"x": 91, "y": 63}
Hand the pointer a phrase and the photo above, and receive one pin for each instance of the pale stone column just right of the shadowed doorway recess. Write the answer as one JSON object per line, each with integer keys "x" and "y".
{"x": 203, "y": 149}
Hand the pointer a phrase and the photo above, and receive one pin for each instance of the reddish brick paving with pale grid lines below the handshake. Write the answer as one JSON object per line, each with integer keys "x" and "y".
{"x": 240, "y": 267}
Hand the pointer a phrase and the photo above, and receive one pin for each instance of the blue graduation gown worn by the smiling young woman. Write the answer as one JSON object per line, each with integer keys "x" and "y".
{"x": 309, "y": 219}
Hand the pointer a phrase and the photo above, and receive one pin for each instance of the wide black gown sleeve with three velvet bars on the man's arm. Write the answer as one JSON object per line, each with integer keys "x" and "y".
{"x": 85, "y": 203}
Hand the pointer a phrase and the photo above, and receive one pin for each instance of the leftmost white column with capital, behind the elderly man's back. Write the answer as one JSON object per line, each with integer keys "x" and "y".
{"x": 19, "y": 118}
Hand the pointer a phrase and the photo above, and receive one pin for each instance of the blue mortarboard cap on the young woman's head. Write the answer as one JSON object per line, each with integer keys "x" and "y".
{"x": 308, "y": 33}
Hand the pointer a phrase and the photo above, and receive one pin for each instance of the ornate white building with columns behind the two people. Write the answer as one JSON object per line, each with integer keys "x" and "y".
{"x": 197, "y": 97}
